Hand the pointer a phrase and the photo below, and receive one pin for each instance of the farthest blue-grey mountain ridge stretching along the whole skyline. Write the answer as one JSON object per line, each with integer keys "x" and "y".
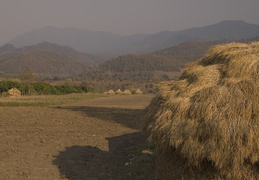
{"x": 105, "y": 42}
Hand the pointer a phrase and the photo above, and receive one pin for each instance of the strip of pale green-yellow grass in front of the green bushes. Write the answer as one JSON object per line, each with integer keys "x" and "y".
{"x": 46, "y": 100}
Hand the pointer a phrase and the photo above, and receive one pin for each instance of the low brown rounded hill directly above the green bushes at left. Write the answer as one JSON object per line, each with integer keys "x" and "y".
{"x": 42, "y": 63}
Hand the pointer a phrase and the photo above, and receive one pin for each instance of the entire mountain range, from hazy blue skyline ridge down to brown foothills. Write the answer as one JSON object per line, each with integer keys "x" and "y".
{"x": 166, "y": 53}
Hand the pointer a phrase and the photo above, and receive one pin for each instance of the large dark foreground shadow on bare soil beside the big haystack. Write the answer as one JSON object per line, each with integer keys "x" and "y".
{"x": 91, "y": 163}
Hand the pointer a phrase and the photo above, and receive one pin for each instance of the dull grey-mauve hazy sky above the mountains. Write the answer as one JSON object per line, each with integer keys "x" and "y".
{"x": 123, "y": 17}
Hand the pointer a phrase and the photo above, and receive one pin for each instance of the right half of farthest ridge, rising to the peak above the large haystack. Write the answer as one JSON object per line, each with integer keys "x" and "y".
{"x": 225, "y": 30}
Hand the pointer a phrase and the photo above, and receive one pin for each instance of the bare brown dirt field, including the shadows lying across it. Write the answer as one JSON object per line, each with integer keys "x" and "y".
{"x": 84, "y": 140}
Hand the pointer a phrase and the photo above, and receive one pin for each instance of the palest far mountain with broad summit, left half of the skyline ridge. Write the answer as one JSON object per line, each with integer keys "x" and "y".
{"x": 82, "y": 40}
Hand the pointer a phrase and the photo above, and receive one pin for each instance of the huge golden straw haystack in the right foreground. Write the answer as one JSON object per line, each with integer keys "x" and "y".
{"x": 206, "y": 123}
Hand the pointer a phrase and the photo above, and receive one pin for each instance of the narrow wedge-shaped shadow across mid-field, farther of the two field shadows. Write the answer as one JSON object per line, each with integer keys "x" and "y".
{"x": 127, "y": 117}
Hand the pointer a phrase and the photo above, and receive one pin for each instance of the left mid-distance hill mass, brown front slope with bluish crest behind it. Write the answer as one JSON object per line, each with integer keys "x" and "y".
{"x": 45, "y": 59}
